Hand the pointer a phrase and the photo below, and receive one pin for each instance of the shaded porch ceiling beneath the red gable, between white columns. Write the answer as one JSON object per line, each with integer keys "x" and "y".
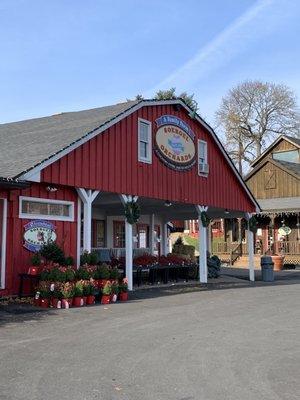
{"x": 111, "y": 204}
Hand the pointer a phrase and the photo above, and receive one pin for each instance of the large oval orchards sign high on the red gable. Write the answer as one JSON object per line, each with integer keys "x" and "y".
{"x": 174, "y": 143}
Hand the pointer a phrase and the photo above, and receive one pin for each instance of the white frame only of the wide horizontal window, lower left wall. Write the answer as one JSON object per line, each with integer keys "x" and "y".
{"x": 23, "y": 215}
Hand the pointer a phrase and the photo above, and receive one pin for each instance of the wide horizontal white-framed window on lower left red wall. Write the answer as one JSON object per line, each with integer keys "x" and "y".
{"x": 36, "y": 208}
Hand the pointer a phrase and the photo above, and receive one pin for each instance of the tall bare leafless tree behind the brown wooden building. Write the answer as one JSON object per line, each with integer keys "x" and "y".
{"x": 254, "y": 113}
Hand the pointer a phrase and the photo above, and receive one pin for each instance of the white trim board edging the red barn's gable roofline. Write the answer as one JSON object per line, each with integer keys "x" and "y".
{"x": 143, "y": 103}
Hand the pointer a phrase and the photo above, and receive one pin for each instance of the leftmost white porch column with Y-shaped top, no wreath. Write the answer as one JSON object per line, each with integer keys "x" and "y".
{"x": 87, "y": 197}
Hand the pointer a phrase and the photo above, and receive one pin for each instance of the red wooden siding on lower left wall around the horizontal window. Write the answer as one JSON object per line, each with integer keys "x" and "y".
{"x": 17, "y": 257}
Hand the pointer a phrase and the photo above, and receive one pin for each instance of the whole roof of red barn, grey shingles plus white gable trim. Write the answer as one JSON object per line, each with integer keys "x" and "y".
{"x": 34, "y": 144}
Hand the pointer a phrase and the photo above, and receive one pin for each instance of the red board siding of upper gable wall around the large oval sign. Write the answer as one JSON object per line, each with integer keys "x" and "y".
{"x": 109, "y": 162}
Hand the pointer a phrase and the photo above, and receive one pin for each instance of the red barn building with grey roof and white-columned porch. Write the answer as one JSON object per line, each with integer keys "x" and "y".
{"x": 67, "y": 178}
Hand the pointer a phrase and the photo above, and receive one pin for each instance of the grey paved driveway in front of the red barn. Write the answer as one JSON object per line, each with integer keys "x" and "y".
{"x": 237, "y": 343}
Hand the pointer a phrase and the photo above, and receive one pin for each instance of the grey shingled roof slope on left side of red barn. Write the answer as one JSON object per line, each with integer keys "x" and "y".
{"x": 25, "y": 144}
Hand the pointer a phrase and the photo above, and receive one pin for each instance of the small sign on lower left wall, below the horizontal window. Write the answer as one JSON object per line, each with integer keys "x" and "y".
{"x": 37, "y": 233}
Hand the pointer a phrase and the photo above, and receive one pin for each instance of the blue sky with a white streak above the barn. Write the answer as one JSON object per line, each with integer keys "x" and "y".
{"x": 65, "y": 55}
